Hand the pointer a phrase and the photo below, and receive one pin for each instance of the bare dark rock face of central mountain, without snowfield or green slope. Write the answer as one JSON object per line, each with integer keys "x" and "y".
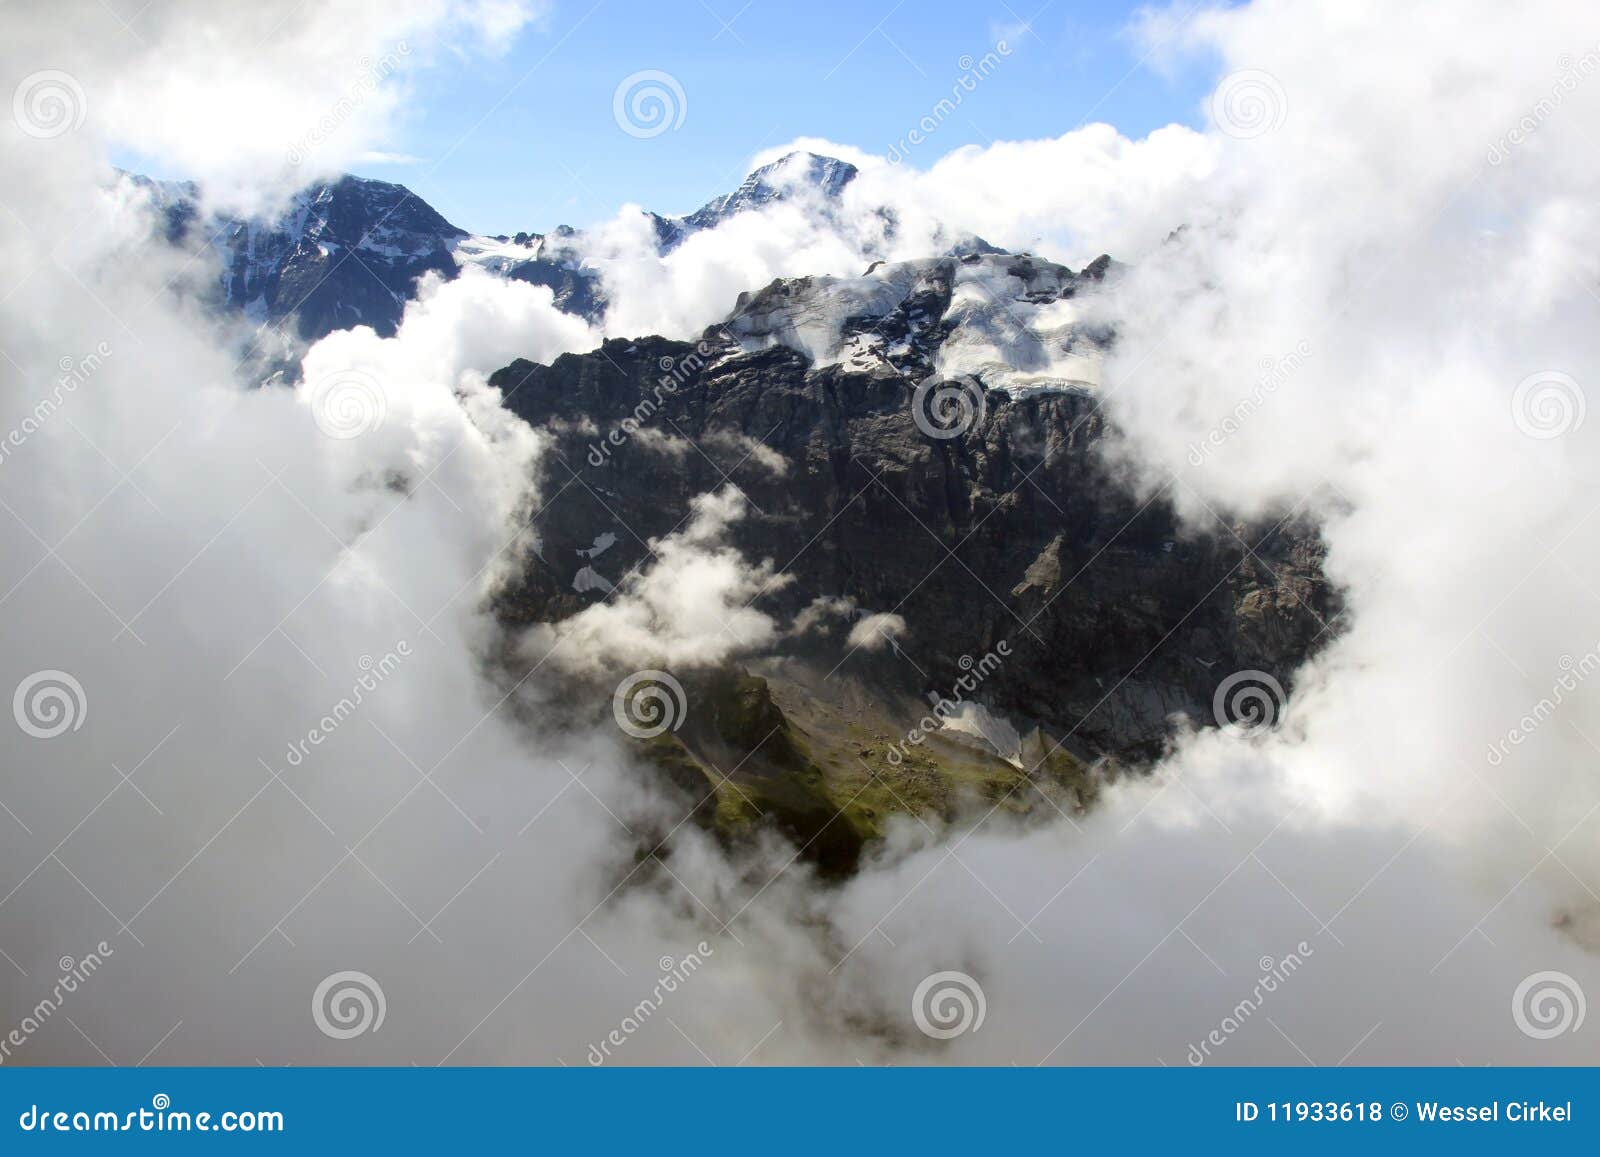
{"x": 1010, "y": 532}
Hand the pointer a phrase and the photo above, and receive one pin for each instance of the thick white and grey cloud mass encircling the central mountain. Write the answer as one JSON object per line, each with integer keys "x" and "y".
{"x": 271, "y": 774}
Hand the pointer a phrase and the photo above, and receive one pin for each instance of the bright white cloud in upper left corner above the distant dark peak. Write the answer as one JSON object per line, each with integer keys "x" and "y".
{"x": 250, "y": 100}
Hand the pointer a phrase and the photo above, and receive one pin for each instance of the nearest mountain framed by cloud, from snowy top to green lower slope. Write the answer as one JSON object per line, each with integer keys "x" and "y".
{"x": 919, "y": 454}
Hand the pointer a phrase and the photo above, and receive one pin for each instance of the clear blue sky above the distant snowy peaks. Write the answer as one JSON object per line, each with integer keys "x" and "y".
{"x": 529, "y": 142}
